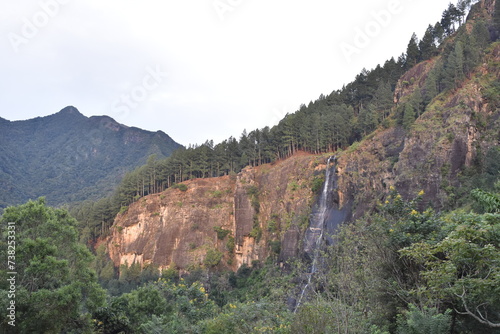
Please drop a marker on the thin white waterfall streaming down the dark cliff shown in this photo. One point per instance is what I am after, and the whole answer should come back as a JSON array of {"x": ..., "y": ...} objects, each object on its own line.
[{"x": 317, "y": 225}]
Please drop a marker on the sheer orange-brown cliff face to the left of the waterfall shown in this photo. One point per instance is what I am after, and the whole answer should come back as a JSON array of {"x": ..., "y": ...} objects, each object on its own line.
[{"x": 263, "y": 210}]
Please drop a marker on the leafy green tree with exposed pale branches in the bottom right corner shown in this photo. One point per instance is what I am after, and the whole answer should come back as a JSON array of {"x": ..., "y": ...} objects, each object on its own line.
[{"x": 464, "y": 266}]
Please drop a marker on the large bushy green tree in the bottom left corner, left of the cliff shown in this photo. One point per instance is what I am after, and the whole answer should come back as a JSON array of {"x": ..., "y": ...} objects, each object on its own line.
[{"x": 55, "y": 288}]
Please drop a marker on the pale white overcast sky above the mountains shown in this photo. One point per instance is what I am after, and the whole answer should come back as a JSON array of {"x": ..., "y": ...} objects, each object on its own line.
[{"x": 198, "y": 69}]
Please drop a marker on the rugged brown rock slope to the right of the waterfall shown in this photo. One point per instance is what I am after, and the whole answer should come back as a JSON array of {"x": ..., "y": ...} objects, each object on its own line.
[{"x": 457, "y": 132}]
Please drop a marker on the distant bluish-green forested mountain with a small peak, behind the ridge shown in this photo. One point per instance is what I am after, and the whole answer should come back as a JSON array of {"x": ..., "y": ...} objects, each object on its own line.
[{"x": 68, "y": 157}]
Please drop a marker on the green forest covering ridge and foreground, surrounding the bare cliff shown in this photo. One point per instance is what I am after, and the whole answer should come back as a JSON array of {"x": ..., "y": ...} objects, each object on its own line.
[{"x": 402, "y": 268}]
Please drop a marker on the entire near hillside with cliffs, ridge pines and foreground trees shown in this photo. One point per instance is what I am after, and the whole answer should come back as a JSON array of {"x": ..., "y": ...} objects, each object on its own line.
[{"x": 417, "y": 161}]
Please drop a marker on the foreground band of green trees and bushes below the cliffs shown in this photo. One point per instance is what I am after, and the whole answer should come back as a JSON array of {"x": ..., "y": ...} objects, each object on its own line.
[{"x": 402, "y": 270}]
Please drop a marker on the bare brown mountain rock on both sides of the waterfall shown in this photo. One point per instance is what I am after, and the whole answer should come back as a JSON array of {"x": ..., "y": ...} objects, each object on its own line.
[{"x": 448, "y": 147}]
